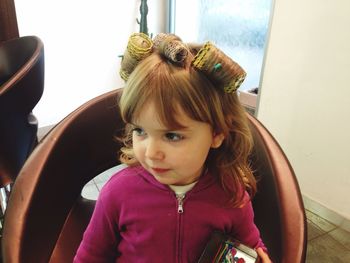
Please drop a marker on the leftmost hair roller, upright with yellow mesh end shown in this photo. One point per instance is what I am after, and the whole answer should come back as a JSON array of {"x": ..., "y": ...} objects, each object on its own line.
[{"x": 139, "y": 47}]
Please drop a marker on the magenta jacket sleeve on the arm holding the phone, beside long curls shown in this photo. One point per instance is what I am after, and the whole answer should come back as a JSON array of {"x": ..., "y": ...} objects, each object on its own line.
[{"x": 246, "y": 231}]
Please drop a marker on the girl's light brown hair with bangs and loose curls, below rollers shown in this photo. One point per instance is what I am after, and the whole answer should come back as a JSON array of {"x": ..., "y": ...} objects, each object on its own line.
[{"x": 169, "y": 85}]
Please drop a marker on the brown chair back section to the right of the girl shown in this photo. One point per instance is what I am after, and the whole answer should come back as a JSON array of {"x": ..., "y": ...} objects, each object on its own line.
[{"x": 278, "y": 206}]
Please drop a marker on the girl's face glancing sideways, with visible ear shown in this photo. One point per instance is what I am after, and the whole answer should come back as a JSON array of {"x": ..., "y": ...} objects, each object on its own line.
[{"x": 172, "y": 157}]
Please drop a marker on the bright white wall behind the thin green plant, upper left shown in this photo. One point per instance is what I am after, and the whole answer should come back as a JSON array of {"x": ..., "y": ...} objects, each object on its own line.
[{"x": 82, "y": 40}]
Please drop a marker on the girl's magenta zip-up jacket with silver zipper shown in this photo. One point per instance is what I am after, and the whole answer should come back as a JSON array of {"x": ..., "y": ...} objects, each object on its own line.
[{"x": 137, "y": 219}]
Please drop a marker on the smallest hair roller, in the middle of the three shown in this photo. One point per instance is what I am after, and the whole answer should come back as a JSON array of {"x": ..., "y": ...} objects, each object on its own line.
[{"x": 171, "y": 47}]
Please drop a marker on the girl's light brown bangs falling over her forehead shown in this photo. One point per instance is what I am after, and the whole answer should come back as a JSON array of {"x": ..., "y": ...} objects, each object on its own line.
[{"x": 169, "y": 87}]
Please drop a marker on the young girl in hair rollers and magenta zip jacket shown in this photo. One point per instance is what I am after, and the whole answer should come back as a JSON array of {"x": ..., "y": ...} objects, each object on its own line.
[{"x": 187, "y": 144}]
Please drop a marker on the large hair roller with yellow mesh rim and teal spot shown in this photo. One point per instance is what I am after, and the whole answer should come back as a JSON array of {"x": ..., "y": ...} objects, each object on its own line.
[{"x": 219, "y": 67}]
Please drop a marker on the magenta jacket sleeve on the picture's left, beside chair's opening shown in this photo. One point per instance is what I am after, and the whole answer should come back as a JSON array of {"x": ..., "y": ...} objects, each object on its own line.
[{"x": 101, "y": 236}]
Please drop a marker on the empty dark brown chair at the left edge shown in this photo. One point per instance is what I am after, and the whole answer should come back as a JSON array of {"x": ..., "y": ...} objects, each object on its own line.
[{"x": 21, "y": 87}]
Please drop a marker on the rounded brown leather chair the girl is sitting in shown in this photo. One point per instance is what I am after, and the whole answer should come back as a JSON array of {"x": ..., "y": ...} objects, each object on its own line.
[{"x": 46, "y": 215}]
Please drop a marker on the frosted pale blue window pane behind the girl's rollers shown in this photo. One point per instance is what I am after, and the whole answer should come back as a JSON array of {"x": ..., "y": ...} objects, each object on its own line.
[{"x": 238, "y": 27}]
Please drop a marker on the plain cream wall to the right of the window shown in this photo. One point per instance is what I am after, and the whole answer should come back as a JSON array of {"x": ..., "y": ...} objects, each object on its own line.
[{"x": 305, "y": 95}]
